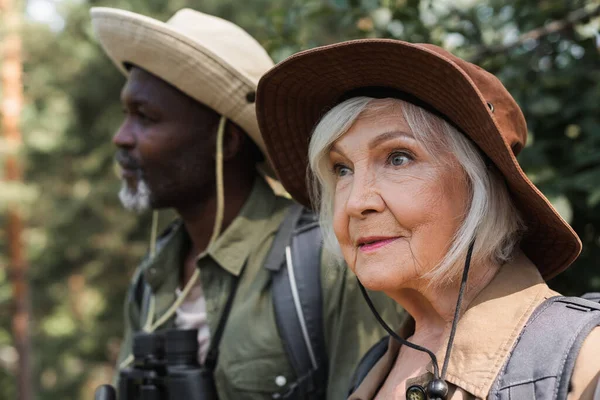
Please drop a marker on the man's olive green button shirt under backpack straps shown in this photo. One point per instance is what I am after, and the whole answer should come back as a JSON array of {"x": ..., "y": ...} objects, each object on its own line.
[{"x": 252, "y": 360}]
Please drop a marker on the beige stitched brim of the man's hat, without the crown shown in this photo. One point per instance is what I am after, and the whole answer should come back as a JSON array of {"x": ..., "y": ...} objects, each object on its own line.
[{"x": 159, "y": 48}]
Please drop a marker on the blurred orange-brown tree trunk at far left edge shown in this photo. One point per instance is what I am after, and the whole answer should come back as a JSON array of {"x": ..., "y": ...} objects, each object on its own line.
[{"x": 10, "y": 109}]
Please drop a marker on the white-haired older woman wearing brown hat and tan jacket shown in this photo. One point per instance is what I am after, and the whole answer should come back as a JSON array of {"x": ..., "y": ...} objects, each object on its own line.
[{"x": 410, "y": 153}]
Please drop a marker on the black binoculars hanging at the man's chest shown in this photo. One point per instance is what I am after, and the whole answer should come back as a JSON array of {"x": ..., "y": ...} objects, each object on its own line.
[{"x": 165, "y": 367}]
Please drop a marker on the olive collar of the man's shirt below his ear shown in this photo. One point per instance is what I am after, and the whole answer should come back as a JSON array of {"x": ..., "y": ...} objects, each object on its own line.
[{"x": 254, "y": 222}]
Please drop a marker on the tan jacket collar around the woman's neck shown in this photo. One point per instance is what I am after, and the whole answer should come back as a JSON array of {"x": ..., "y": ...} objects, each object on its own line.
[{"x": 485, "y": 335}]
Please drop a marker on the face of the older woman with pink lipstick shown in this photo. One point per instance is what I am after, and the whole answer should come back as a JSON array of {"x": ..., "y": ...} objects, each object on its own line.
[{"x": 396, "y": 206}]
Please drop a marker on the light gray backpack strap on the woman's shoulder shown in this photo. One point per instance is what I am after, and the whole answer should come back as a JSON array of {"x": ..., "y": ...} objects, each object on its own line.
[{"x": 541, "y": 363}]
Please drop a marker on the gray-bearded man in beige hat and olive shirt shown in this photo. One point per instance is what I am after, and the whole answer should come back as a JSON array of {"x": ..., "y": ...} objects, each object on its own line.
[{"x": 190, "y": 133}]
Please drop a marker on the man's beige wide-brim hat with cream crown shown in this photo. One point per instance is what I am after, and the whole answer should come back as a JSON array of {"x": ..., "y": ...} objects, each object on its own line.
[{"x": 210, "y": 59}]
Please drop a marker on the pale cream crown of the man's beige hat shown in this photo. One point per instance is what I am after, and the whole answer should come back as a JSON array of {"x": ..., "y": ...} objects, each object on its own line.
[{"x": 226, "y": 40}]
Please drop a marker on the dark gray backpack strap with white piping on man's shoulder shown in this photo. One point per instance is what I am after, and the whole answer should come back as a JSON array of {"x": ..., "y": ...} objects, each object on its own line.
[{"x": 295, "y": 263}]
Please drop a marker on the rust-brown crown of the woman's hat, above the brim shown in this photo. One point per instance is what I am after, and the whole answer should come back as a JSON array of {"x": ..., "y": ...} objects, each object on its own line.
[{"x": 504, "y": 108}]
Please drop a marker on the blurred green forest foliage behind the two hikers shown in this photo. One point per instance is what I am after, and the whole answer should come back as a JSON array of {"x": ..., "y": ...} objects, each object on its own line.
[{"x": 82, "y": 246}]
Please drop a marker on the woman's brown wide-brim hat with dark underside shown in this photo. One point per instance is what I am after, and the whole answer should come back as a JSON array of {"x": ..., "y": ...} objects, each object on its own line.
[{"x": 296, "y": 93}]
